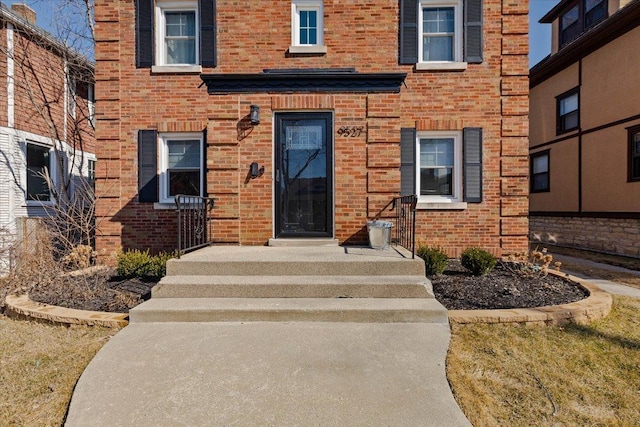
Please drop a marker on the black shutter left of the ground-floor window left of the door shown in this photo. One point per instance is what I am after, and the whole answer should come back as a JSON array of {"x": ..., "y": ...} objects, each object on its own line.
[{"x": 147, "y": 166}]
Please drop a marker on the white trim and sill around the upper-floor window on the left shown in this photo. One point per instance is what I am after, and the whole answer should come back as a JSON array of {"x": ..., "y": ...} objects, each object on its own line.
[{"x": 160, "y": 28}]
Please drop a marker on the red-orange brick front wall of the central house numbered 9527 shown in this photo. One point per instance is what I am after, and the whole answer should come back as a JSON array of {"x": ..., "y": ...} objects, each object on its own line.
[{"x": 253, "y": 36}]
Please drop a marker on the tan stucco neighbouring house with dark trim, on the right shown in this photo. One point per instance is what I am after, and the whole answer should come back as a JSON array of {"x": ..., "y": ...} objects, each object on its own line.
[{"x": 585, "y": 129}]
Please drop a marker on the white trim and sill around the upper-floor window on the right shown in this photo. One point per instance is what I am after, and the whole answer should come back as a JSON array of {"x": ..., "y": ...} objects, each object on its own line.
[{"x": 457, "y": 63}]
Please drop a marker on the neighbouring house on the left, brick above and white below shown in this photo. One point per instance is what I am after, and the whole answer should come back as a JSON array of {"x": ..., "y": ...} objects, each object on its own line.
[{"x": 46, "y": 107}]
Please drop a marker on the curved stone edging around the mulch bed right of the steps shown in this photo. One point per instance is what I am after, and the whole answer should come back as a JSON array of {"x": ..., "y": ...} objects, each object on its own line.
[{"x": 596, "y": 306}]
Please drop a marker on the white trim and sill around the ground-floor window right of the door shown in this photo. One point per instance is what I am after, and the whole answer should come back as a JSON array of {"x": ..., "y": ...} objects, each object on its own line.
[{"x": 442, "y": 202}]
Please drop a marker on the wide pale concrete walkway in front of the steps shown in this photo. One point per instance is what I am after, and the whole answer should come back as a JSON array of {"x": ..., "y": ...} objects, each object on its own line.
[{"x": 269, "y": 374}]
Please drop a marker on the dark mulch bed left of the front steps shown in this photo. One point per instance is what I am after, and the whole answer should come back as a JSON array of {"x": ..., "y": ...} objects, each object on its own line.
[{"x": 97, "y": 289}]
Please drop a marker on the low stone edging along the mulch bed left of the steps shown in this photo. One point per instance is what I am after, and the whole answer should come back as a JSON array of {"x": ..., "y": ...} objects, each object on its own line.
[{"x": 22, "y": 306}]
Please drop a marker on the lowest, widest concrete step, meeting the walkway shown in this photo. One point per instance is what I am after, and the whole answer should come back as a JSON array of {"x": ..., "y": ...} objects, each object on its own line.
[{"x": 357, "y": 310}]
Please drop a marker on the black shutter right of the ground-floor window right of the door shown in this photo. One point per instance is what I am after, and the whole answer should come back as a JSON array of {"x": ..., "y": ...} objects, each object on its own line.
[{"x": 472, "y": 140}]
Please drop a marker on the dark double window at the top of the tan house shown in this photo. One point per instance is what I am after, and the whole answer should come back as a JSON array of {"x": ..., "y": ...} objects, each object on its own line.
[{"x": 580, "y": 16}]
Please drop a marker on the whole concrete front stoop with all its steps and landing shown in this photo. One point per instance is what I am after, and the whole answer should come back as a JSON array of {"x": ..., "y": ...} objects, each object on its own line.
[{"x": 293, "y": 283}]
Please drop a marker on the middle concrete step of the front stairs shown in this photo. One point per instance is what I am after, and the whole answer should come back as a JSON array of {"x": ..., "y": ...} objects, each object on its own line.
[{"x": 293, "y": 287}]
